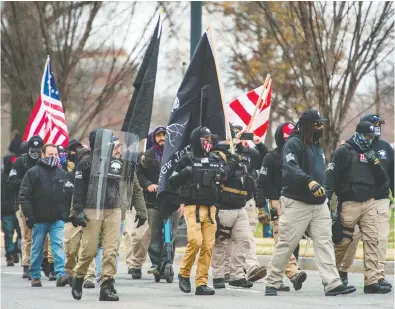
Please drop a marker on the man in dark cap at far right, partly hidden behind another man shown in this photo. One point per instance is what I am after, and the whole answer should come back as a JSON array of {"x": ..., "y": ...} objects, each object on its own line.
[{"x": 381, "y": 196}]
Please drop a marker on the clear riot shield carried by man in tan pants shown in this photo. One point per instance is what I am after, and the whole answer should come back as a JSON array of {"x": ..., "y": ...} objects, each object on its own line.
[{"x": 114, "y": 161}]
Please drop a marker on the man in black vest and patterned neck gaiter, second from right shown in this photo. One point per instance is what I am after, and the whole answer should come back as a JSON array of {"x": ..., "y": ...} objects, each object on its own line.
[{"x": 355, "y": 175}]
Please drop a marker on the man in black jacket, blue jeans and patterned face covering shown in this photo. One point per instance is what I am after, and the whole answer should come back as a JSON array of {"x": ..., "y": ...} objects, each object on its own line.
[{"x": 43, "y": 197}]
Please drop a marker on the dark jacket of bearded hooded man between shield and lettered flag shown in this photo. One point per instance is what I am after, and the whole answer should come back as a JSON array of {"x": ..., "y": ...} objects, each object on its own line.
[{"x": 148, "y": 170}]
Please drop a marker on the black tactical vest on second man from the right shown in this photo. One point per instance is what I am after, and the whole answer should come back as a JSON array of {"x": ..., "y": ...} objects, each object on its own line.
[{"x": 361, "y": 178}]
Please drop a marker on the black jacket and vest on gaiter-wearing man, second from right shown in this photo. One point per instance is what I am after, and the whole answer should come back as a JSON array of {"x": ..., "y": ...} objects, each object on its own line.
[{"x": 341, "y": 172}]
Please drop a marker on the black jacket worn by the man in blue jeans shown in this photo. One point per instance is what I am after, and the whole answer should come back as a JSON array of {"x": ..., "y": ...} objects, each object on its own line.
[{"x": 44, "y": 193}]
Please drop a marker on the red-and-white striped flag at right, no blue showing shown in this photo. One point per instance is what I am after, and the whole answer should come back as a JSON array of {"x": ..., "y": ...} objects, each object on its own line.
[{"x": 241, "y": 110}]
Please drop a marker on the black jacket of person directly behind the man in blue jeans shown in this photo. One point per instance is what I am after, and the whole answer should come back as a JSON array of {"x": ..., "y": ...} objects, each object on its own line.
[{"x": 18, "y": 171}]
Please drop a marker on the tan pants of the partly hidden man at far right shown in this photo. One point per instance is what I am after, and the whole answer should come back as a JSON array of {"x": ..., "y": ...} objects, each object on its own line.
[{"x": 384, "y": 211}]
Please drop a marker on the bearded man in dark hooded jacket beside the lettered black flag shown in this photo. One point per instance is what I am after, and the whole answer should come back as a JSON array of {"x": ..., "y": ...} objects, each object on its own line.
[{"x": 148, "y": 174}]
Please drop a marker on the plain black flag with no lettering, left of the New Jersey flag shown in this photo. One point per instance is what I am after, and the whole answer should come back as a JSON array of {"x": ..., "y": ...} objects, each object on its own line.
[{"x": 138, "y": 116}]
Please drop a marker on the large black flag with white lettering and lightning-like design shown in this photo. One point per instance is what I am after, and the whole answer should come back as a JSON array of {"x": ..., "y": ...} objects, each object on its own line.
[{"x": 185, "y": 116}]
